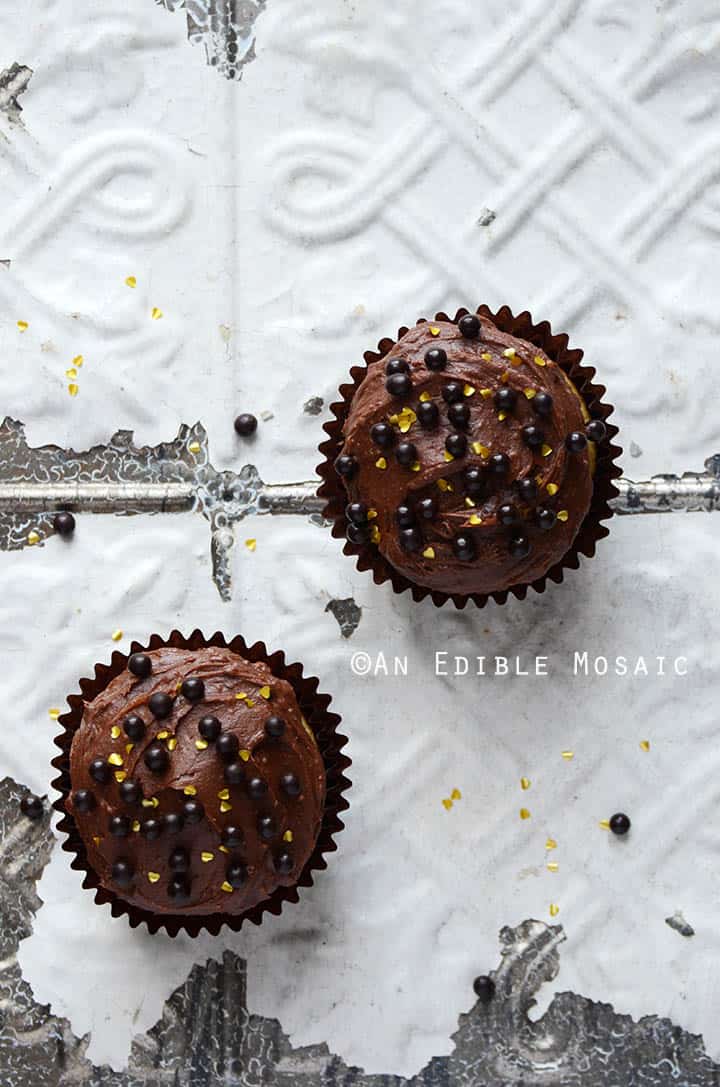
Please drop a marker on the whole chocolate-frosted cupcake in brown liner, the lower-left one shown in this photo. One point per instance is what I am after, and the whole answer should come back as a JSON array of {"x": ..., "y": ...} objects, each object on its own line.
[{"x": 196, "y": 781}]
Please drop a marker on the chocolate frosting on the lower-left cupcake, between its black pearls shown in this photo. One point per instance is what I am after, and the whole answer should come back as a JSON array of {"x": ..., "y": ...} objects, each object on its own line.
[{"x": 198, "y": 776}]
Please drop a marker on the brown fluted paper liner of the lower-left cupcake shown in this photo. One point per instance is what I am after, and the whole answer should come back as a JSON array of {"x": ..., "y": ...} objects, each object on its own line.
[{"x": 325, "y": 726}]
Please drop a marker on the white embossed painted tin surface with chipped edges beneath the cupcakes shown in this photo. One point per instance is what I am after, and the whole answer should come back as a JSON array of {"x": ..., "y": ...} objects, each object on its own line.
[{"x": 283, "y": 224}]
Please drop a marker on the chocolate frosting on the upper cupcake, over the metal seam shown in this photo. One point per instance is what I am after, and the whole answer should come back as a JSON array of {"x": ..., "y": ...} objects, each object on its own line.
[{"x": 495, "y": 360}]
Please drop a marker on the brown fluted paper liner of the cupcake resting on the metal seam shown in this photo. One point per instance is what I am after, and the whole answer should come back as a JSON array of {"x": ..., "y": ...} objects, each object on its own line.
[{"x": 592, "y": 530}]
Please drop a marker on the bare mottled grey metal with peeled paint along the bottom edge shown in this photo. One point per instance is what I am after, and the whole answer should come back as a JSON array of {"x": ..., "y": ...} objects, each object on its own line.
[{"x": 207, "y": 1038}]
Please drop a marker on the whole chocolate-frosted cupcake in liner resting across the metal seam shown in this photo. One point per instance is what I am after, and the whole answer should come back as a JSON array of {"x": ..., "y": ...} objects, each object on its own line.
[{"x": 470, "y": 458}]
